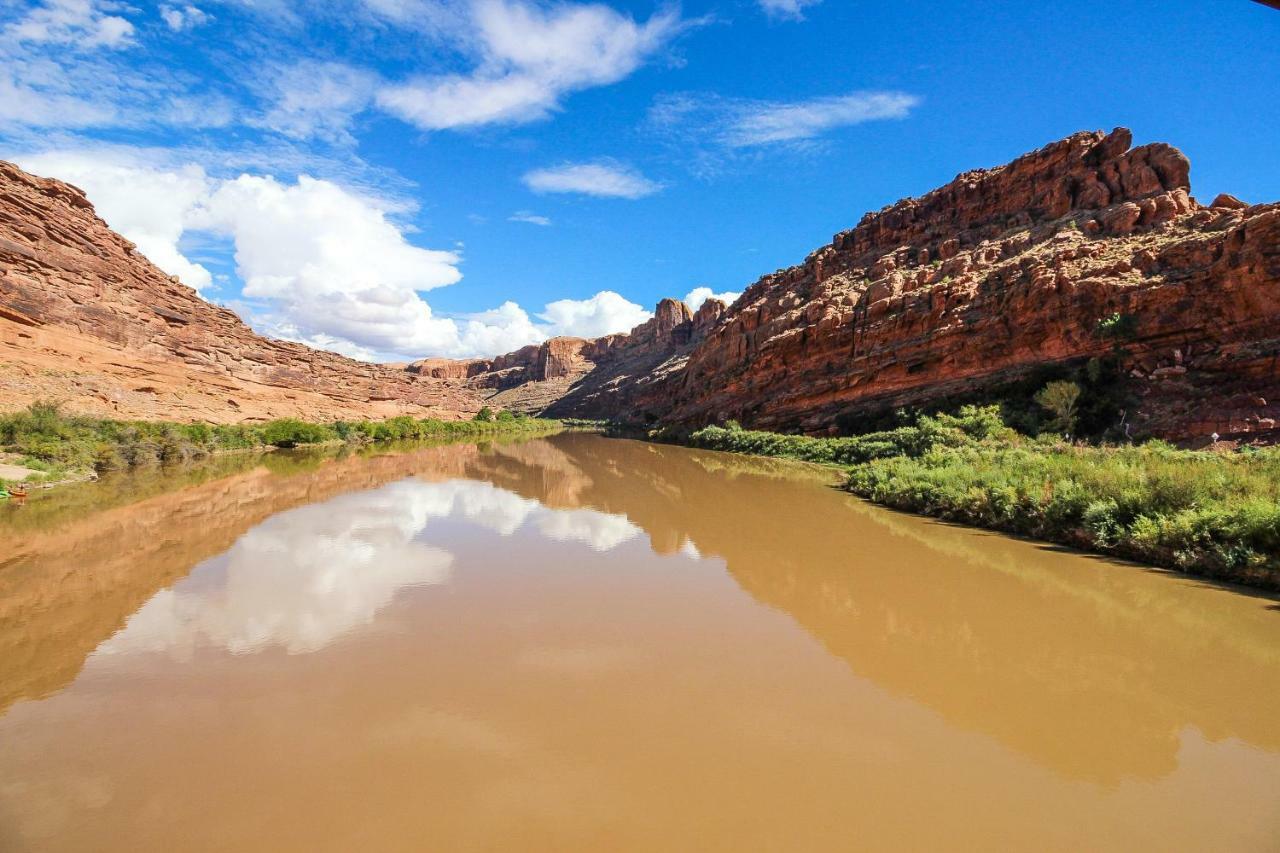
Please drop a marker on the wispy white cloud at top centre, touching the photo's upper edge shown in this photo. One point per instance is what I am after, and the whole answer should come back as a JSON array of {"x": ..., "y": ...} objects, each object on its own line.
[{"x": 529, "y": 58}]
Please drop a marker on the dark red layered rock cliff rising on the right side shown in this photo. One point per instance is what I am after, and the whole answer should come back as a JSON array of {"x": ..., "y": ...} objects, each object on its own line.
[{"x": 991, "y": 279}]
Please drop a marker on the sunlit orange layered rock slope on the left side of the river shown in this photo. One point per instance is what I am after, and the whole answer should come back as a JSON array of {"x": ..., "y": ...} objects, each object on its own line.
[{"x": 88, "y": 321}]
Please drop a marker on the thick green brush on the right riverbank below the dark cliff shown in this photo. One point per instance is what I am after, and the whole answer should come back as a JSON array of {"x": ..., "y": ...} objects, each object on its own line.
[{"x": 1209, "y": 513}]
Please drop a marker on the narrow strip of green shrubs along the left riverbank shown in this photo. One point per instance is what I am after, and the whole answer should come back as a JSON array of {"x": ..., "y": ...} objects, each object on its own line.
[{"x": 45, "y": 439}]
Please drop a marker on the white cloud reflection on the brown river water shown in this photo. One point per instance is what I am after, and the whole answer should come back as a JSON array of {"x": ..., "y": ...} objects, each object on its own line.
[{"x": 304, "y": 578}]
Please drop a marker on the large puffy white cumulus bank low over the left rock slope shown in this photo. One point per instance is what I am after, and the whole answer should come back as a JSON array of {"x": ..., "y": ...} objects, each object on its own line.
[{"x": 321, "y": 263}]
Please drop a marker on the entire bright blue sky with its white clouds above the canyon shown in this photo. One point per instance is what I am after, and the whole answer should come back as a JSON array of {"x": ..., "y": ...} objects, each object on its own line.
[{"x": 401, "y": 179}]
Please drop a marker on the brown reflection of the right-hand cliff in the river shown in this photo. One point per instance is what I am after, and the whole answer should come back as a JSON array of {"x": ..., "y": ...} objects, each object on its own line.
[{"x": 1090, "y": 668}]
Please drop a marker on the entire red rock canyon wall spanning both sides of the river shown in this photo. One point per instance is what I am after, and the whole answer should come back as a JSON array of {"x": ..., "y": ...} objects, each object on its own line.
[{"x": 1087, "y": 249}]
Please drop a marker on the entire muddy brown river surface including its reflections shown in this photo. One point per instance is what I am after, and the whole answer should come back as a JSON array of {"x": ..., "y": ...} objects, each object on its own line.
[{"x": 583, "y": 644}]
